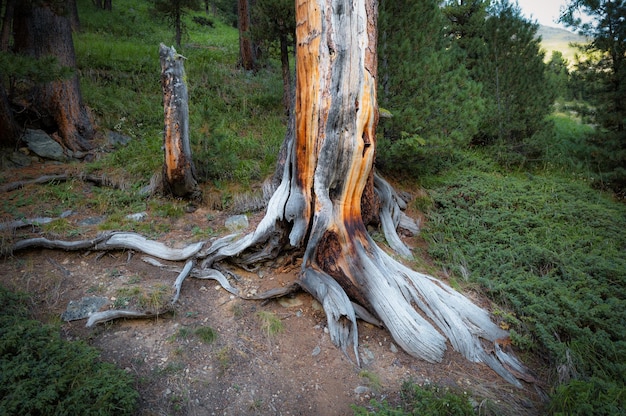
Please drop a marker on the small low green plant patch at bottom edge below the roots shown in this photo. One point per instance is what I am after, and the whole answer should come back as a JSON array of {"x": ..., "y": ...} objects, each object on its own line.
[{"x": 416, "y": 400}]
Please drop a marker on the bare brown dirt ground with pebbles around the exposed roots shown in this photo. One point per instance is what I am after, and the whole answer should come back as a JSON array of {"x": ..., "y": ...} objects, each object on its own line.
[{"x": 246, "y": 370}]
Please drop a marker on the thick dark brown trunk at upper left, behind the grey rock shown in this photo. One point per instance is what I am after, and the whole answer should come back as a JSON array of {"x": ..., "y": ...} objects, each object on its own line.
[{"x": 39, "y": 31}]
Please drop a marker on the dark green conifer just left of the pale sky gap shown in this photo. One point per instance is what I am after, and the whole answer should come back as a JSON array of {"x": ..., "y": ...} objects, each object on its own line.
[{"x": 512, "y": 73}]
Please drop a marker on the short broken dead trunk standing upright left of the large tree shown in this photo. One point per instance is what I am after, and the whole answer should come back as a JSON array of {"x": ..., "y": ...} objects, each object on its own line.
[{"x": 179, "y": 176}]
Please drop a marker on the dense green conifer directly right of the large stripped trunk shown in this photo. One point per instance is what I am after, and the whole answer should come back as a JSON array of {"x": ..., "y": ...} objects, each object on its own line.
[{"x": 434, "y": 104}]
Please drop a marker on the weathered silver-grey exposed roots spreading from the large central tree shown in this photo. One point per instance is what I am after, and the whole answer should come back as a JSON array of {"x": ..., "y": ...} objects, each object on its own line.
[{"x": 410, "y": 305}]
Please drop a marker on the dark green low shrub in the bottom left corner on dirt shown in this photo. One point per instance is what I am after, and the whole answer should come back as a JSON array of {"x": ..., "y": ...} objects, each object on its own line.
[{"x": 42, "y": 374}]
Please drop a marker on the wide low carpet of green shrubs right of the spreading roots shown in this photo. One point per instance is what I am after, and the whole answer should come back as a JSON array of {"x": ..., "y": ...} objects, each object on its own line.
[{"x": 552, "y": 250}]
